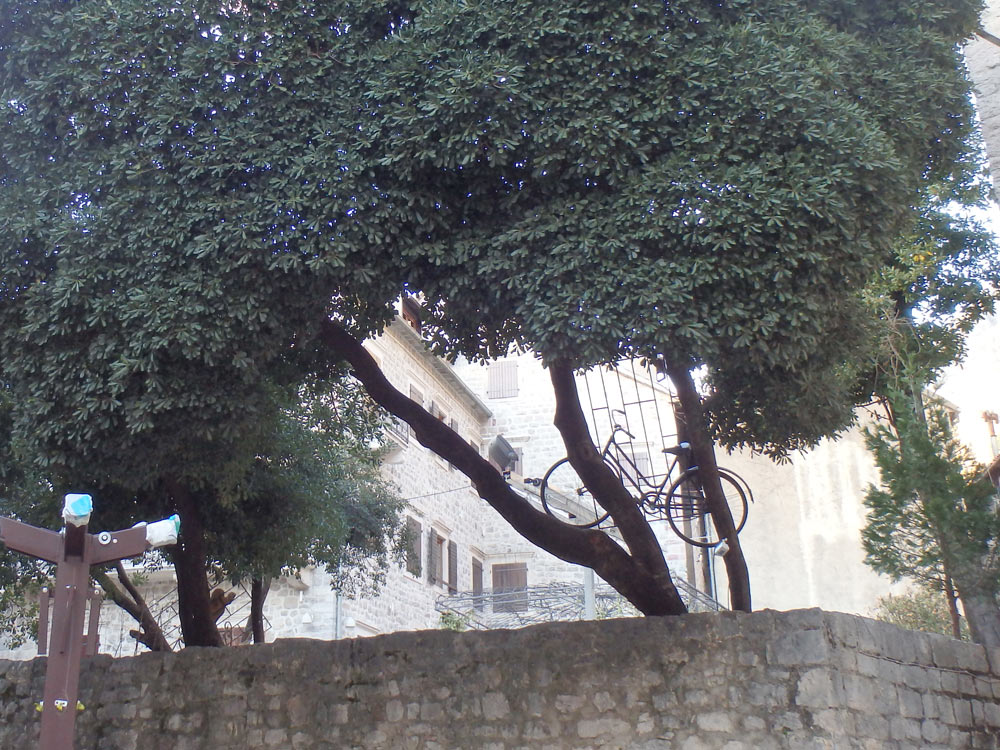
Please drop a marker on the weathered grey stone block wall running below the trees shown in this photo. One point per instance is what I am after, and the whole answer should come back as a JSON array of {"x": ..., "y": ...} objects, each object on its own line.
[{"x": 804, "y": 679}]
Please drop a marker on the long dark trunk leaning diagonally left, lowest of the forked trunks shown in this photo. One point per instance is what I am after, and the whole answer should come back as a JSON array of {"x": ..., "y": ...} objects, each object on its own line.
[{"x": 650, "y": 590}]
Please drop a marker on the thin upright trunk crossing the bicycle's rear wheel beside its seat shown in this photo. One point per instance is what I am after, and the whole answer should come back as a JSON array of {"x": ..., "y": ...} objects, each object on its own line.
[{"x": 703, "y": 452}]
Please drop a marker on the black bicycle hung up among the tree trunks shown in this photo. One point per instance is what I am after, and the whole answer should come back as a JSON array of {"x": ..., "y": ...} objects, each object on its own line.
[{"x": 678, "y": 496}]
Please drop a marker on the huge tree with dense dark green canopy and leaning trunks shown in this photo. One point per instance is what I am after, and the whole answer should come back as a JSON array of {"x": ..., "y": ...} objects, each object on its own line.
[{"x": 200, "y": 197}]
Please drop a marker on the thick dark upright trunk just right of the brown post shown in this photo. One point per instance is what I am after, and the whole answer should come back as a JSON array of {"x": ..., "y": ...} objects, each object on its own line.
[{"x": 193, "y": 595}]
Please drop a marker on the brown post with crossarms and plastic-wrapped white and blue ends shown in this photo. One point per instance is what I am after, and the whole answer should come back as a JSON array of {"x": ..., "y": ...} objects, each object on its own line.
[{"x": 73, "y": 550}]
